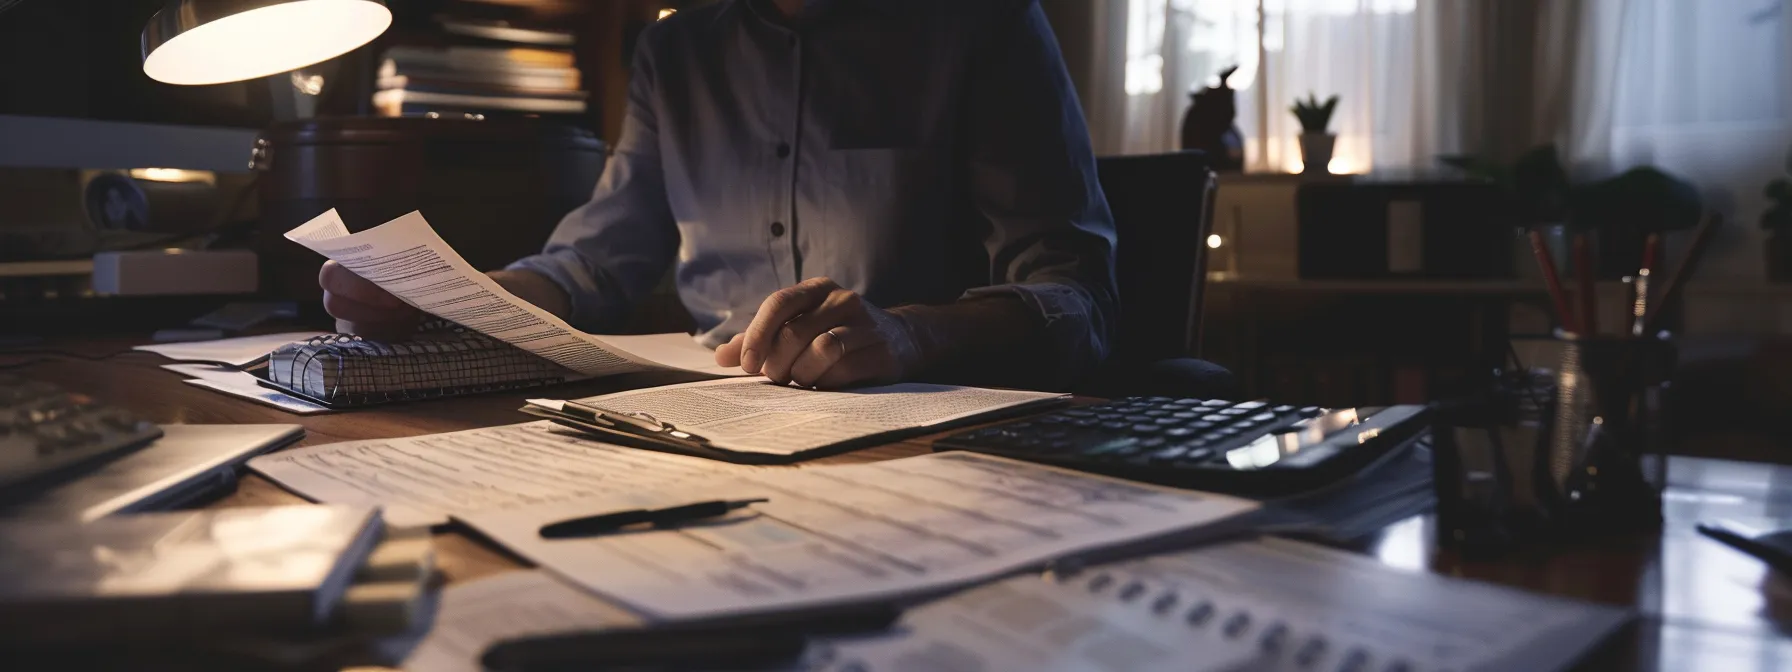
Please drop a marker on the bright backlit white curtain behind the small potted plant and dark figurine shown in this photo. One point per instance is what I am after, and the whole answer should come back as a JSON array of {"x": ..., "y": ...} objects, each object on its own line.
[{"x": 1397, "y": 67}]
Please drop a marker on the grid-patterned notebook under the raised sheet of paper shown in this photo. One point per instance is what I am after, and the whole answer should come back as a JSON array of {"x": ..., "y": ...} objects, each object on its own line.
[{"x": 445, "y": 359}]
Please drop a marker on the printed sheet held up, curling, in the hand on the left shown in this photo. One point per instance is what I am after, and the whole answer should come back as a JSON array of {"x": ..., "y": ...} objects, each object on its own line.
[{"x": 408, "y": 259}]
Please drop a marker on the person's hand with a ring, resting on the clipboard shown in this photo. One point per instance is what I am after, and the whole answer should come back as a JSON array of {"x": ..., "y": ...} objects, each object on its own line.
[{"x": 818, "y": 334}]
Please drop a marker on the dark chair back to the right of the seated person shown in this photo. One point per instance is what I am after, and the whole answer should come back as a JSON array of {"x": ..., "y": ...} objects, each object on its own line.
[{"x": 1164, "y": 212}]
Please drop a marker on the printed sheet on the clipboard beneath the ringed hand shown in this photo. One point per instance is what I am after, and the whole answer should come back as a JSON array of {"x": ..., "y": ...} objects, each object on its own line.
[{"x": 780, "y": 420}]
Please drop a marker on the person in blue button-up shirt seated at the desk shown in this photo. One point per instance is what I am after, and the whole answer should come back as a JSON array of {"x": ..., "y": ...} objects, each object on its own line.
[{"x": 852, "y": 191}]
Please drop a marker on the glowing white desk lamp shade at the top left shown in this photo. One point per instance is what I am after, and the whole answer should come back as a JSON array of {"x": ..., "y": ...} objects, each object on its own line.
[{"x": 214, "y": 42}]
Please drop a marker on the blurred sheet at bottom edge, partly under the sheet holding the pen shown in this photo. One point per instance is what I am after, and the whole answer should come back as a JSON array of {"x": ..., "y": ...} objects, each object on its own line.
[{"x": 476, "y": 616}]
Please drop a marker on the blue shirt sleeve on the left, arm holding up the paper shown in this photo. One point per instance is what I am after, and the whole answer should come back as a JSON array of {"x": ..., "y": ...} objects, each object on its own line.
[{"x": 616, "y": 248}]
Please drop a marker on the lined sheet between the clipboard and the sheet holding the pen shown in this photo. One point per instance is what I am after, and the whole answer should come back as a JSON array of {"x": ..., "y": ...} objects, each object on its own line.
[{"x": 420, "y": 481}]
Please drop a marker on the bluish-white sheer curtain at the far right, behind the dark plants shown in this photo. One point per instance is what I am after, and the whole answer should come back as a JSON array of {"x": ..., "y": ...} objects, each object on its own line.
[{"x": 1700, "y": 89}]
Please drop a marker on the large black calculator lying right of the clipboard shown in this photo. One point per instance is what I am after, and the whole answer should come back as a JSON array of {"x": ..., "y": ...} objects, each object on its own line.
[{"x": 1228, "y": 447}]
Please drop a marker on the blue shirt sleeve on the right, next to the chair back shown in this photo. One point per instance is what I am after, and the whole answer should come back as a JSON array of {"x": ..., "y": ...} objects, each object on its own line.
[{"x": 1033, "y": 178}]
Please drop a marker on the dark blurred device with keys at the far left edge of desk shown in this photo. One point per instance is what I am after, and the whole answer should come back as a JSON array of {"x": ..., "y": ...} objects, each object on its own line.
[{"x": 46, "y": 433}]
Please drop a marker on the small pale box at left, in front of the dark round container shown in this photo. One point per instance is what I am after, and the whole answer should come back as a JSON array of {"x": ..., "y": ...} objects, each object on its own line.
[{"x": 177, "y": 273}]
